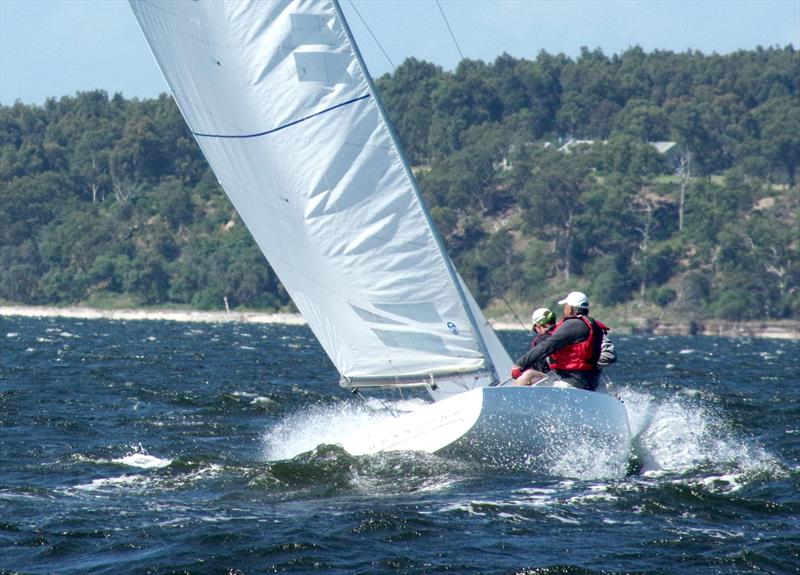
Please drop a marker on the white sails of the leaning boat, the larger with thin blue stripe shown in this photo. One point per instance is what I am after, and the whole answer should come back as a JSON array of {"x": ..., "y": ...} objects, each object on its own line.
[{"x": 276, "y": 95}]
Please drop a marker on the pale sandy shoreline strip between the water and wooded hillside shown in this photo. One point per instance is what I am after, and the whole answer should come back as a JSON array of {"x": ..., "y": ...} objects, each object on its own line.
[{"x": 770, "y": 329}]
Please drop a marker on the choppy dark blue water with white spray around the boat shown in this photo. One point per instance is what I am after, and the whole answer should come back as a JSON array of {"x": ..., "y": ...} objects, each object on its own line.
[{"x": 158, "y": 447}]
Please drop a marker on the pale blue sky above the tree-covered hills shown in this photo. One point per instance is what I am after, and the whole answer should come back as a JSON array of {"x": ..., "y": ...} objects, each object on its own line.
[{"x": 53, "y": 48}]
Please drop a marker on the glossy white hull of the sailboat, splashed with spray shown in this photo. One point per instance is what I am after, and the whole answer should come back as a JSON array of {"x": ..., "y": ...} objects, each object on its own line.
[{"x": 512, "y": 427}]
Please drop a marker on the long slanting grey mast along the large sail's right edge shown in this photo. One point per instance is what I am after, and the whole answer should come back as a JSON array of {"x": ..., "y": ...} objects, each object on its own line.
[{"x": 413, "y": 181}]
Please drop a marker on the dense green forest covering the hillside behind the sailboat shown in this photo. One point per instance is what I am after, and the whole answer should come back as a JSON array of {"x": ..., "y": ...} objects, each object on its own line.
[{"x": 655, "y": 181}]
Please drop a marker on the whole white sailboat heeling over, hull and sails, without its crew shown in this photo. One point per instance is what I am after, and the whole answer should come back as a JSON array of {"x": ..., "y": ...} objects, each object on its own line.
[{"x": 281, "y": 103}]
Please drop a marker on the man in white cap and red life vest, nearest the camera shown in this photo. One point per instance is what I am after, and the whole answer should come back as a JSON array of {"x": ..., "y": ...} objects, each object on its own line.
[{"x": 574, "y": 346}]
